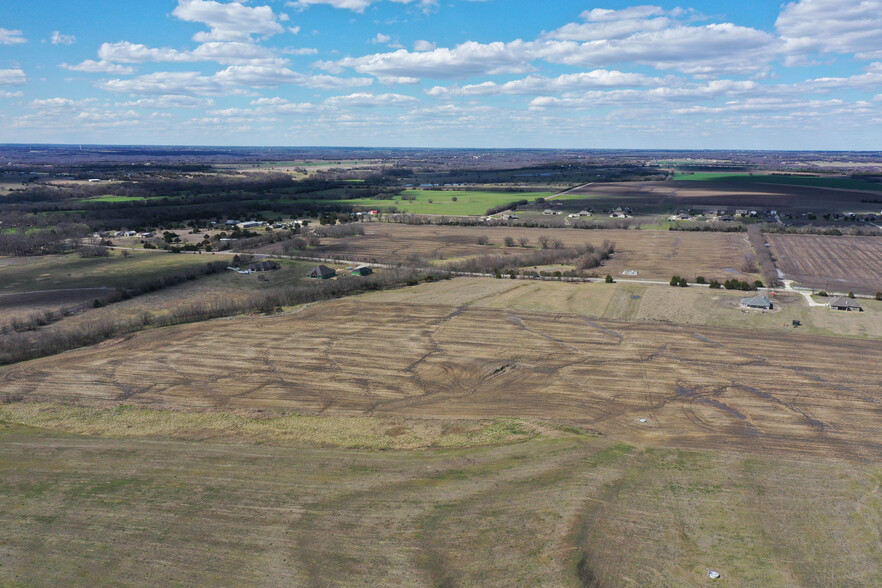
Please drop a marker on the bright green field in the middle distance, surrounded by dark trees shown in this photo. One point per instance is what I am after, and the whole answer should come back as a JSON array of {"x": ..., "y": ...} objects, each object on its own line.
[{"x": 467, "y": 203}]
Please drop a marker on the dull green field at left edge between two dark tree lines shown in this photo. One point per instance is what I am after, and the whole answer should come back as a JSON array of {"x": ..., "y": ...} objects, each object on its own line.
[{"x": 58, "y": 272}]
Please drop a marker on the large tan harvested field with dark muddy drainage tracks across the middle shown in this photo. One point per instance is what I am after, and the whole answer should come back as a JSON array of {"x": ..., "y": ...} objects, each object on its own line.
[{"x": 698, "y": 387}]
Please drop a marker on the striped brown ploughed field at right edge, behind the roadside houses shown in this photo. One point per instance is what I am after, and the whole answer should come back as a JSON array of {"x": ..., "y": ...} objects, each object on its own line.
[{"x": 838, "y": 264}]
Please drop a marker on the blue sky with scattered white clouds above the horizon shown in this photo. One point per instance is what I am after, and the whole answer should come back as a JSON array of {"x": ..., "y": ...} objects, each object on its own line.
[{"x": 753, "y": 74}]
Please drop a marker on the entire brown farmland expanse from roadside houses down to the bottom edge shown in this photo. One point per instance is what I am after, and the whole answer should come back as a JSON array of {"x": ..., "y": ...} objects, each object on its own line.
[{"x": 436, "y": 435}]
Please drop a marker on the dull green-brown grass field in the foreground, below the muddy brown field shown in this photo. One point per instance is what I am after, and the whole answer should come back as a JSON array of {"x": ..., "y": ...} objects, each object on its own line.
[{"x": 561, "y": 512}]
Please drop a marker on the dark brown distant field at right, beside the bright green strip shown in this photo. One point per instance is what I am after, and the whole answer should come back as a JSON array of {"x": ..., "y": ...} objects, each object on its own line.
[{"x": 660, "y": 197}]
